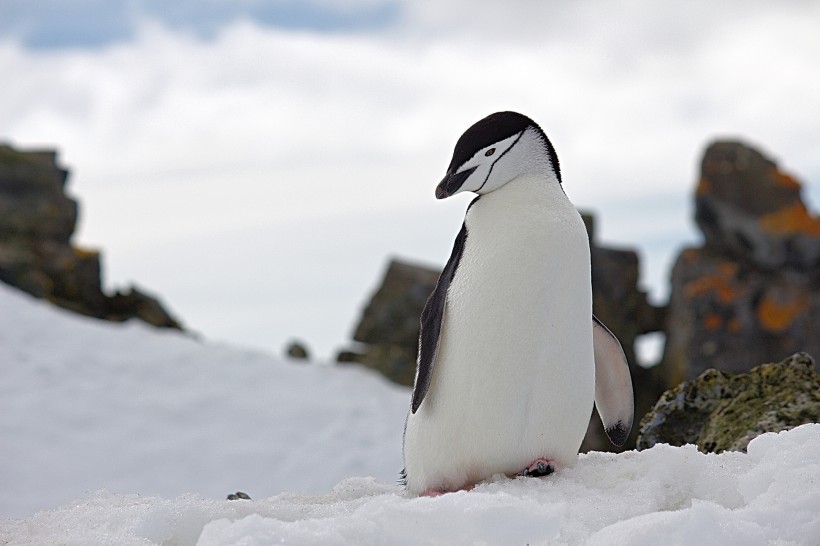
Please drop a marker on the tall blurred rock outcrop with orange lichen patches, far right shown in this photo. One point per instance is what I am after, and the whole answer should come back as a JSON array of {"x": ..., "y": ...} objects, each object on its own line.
[{"x": 752, "y": 292}]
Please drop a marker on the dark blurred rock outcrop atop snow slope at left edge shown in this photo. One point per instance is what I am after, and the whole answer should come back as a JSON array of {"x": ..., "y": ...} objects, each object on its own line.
[{"x": 37, "y": 221}]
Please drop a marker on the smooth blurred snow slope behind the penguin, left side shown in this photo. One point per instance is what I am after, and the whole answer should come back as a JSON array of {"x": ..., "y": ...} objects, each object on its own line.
[{"x": 88, "y": 405}]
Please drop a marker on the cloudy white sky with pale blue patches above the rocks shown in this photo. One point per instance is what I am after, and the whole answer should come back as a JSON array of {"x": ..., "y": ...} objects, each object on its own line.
[{"x": 257, "y": 162}]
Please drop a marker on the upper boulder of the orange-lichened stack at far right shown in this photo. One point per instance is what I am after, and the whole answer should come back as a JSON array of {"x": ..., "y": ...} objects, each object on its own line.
[{"x": 749, "y": 209}]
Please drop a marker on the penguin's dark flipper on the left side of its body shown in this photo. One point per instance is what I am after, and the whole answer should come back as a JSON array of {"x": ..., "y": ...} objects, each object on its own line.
[{"x": 431, "y": 319}]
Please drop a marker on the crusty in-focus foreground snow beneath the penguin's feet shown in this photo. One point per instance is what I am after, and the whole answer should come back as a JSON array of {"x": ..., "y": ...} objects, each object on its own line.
[{"x": 664, "y": 495}]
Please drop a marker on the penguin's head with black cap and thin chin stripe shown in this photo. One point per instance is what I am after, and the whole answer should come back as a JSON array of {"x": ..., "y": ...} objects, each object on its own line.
[{"x": 495, "y": 150}]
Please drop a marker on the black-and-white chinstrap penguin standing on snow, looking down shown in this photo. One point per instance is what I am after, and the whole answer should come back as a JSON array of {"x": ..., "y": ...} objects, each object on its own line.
[{"x": 511, "y": 358}]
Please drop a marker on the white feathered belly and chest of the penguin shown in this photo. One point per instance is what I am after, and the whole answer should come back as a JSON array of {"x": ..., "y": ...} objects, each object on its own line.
[{"x": 514, "y": 374}]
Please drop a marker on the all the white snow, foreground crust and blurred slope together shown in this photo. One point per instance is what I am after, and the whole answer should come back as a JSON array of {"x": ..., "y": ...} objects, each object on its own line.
[{"x": 137, "y": 435}]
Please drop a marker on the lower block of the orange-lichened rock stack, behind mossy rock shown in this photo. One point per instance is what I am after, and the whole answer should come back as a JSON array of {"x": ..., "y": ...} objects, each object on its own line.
[{"x": 723, "y": 315}]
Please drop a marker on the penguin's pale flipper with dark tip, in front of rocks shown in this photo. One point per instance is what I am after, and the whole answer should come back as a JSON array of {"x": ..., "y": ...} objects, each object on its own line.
[{"x": 613, "y": 384}]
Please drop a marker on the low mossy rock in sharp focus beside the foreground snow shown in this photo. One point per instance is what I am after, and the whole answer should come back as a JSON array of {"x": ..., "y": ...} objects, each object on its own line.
[{"x": 720, "y": 411}]
